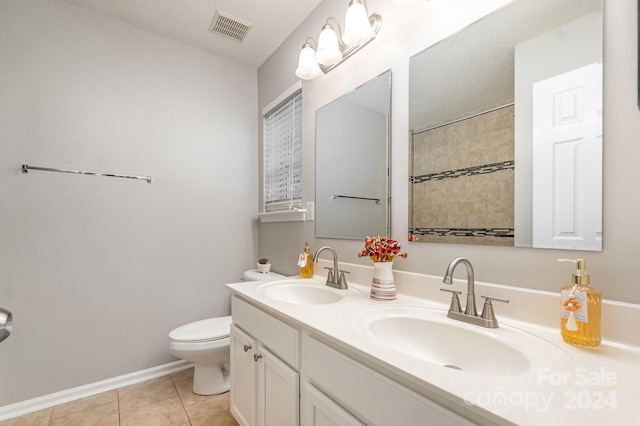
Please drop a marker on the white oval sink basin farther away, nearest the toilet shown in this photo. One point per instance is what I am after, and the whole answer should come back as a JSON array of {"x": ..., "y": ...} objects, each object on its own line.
[{"x": 302, "y": 292}]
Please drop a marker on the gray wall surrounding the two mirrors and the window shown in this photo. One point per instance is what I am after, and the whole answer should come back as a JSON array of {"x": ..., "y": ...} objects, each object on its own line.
[{"x": 405, "y": 32}]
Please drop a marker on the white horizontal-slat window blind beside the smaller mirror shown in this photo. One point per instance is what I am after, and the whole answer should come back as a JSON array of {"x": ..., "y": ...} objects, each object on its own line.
[{"x": 282, "y": 153}]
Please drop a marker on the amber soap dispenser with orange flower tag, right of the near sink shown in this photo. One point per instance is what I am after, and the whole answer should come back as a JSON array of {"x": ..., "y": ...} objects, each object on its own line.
[{"x": 581, "y": 309}]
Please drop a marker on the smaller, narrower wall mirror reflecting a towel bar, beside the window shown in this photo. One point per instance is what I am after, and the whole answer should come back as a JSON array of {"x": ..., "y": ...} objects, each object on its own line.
[{"x": 352, "y": 162}]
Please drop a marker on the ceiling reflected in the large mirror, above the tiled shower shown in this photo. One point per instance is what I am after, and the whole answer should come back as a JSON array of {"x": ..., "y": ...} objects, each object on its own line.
[{"x": 474, "y": 69}]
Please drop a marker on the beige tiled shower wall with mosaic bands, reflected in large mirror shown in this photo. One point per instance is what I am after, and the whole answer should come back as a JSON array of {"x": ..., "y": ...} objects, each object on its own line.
[{"x": 462, "y": 181}]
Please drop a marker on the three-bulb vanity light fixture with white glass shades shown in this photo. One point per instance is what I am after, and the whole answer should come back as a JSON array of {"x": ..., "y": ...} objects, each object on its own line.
[{"x": 333, "y": 47}]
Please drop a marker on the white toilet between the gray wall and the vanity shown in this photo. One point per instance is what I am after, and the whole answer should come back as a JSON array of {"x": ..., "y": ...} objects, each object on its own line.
[{"x": 206, "y": 344}]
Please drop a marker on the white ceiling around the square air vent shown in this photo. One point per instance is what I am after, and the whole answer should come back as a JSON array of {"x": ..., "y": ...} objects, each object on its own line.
[{"x": 188, "y": 21}]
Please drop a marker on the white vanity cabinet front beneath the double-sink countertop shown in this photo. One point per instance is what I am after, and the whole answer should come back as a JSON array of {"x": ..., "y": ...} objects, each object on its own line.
[{"x": 283, "y": 375}]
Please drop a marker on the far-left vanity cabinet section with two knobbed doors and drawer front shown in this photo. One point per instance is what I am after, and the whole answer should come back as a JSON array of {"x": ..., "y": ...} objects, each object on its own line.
[{"x": 264, "y": 362}]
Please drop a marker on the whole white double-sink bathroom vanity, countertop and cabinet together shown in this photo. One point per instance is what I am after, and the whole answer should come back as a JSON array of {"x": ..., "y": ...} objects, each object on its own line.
[{"x": 303, "y": 353}]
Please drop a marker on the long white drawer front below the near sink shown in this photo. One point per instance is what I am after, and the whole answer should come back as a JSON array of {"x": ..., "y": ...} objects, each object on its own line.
[{"x": 370, "y": 396}]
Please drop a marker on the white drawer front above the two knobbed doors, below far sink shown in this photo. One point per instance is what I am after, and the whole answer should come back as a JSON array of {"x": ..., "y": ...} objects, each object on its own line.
[{"x": 280, "y": 338}]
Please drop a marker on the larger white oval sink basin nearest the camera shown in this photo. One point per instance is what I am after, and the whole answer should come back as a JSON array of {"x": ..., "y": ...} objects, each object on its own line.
[{"x": 428, "y": 335}]
